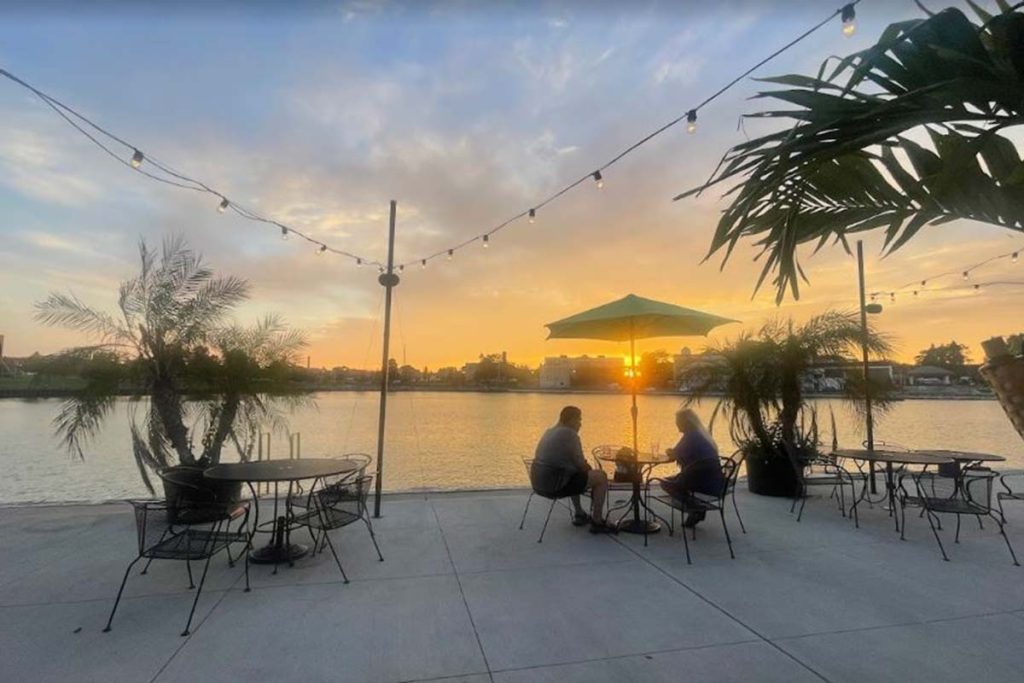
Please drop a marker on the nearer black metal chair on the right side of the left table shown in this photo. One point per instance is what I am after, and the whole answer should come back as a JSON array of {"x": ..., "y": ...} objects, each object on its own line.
[{"x": 336, "y": 505}]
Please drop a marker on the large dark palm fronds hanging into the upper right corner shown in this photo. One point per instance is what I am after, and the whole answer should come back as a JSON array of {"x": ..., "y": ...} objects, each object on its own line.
[{"x": 916, "y": 136}]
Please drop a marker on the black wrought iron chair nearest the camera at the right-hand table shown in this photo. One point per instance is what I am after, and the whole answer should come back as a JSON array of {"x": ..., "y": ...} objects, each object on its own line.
[{"x": 969, "y": 494}]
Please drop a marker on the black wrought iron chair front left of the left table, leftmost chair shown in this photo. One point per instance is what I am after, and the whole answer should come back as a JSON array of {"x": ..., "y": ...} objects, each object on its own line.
[{"x": 168, "y": 532}]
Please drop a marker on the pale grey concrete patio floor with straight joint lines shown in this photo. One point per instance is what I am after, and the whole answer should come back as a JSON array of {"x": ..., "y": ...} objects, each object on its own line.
[{"x": 464, "y": 595}]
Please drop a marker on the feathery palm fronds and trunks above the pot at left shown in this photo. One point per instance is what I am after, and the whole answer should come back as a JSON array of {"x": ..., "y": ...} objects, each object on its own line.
[{"x": 192, "y": 377}]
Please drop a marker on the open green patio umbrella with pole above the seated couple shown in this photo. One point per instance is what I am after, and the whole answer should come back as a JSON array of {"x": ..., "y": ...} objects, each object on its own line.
[{"x": 635, "y": 318}]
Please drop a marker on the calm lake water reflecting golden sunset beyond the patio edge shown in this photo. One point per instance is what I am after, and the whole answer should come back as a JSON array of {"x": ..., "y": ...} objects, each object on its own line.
[{"x": 451, "y": 441}]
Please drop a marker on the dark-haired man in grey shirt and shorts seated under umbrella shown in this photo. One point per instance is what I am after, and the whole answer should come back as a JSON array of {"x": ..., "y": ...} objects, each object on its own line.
[{"x": 561, "y": 469}]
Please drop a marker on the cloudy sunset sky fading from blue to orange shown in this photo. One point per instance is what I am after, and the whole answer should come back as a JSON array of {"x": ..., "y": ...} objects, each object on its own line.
[{"x": 466, "y": 114}]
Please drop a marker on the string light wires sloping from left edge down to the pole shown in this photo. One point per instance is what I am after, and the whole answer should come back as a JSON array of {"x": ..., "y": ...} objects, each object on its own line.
[{"x": 94, "y": 132}]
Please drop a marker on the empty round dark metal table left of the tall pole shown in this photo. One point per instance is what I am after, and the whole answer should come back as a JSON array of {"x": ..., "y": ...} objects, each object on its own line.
[{"x": 277, "y": 472}]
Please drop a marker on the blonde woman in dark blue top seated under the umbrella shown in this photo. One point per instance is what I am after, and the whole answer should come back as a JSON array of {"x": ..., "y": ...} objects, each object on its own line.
[{"x": 701, "y": 472}]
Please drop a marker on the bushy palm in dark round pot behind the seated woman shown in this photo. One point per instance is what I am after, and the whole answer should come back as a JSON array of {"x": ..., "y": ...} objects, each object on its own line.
[{"x": 759, "y": 382}]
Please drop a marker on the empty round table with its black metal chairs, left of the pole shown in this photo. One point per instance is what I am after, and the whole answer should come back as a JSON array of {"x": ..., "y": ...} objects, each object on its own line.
[{"x": 197, "y": 530}]
